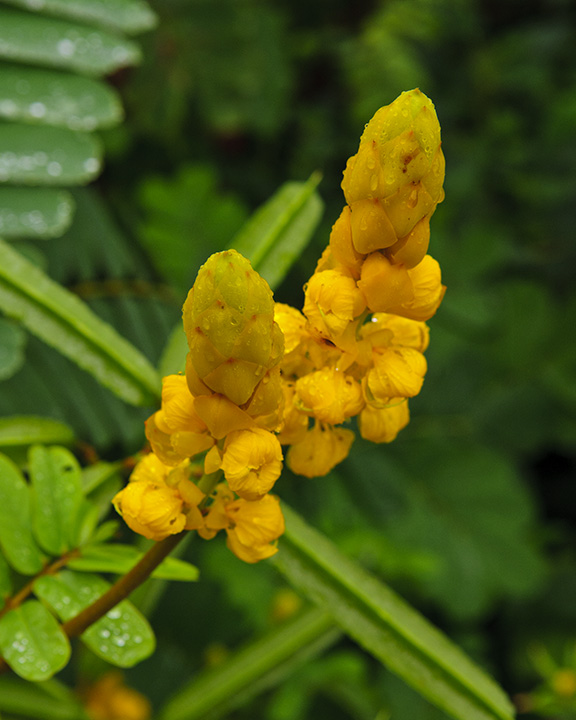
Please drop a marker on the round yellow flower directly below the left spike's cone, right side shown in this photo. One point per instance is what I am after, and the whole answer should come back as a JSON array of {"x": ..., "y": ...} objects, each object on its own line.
[{"x": 252, "y": 462}]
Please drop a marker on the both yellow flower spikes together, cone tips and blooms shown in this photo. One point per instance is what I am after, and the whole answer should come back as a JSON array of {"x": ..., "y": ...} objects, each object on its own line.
[{"x": 260, "y": 375}]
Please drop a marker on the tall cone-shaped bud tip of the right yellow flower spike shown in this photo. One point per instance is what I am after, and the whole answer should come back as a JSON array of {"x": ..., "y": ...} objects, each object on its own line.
[{"x": 400, "y": 163}]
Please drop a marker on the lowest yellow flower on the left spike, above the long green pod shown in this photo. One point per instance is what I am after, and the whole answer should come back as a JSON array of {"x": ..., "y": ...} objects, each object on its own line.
[{"x": 254, "y": 525}]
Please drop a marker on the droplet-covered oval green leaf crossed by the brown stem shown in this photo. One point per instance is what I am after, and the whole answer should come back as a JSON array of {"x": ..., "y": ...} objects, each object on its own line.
[{"x": 122, "y": 637}]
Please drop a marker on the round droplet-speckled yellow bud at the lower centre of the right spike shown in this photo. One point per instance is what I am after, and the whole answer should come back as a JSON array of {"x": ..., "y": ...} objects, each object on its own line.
[{"x": 329, "y": 395}]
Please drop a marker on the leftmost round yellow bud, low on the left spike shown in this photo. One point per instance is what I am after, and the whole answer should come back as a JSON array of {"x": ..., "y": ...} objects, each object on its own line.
[{"x": 151, "y": 509}]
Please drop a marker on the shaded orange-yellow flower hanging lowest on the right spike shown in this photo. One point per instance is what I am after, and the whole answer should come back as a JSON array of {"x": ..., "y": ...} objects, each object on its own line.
[{"x": 321, "y": 449}]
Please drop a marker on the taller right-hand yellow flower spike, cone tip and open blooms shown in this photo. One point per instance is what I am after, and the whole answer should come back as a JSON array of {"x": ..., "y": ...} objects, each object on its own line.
[{"x": 357, "y": 349}]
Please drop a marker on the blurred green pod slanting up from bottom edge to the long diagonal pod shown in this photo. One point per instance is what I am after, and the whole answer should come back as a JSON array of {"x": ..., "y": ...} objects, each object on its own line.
[{"x": 263, "y": 664}]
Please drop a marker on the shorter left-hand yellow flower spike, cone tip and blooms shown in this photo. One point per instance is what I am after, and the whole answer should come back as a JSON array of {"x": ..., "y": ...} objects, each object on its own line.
[{"x": 223, "y": 408}]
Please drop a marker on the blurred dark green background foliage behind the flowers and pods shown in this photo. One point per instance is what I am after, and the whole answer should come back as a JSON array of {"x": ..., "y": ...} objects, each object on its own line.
[{"x": 471, "y": 512}]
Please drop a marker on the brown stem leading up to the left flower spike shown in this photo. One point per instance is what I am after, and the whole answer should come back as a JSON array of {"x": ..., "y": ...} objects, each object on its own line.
[{"x": 123, "y": 587}]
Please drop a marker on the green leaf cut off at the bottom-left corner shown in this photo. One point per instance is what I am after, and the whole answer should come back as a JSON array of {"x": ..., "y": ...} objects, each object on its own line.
[{"x": 48, "y": 700}]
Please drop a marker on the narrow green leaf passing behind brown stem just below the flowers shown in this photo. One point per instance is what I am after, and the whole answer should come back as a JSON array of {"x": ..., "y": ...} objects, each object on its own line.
[{"x": 119, "y": 559}]
